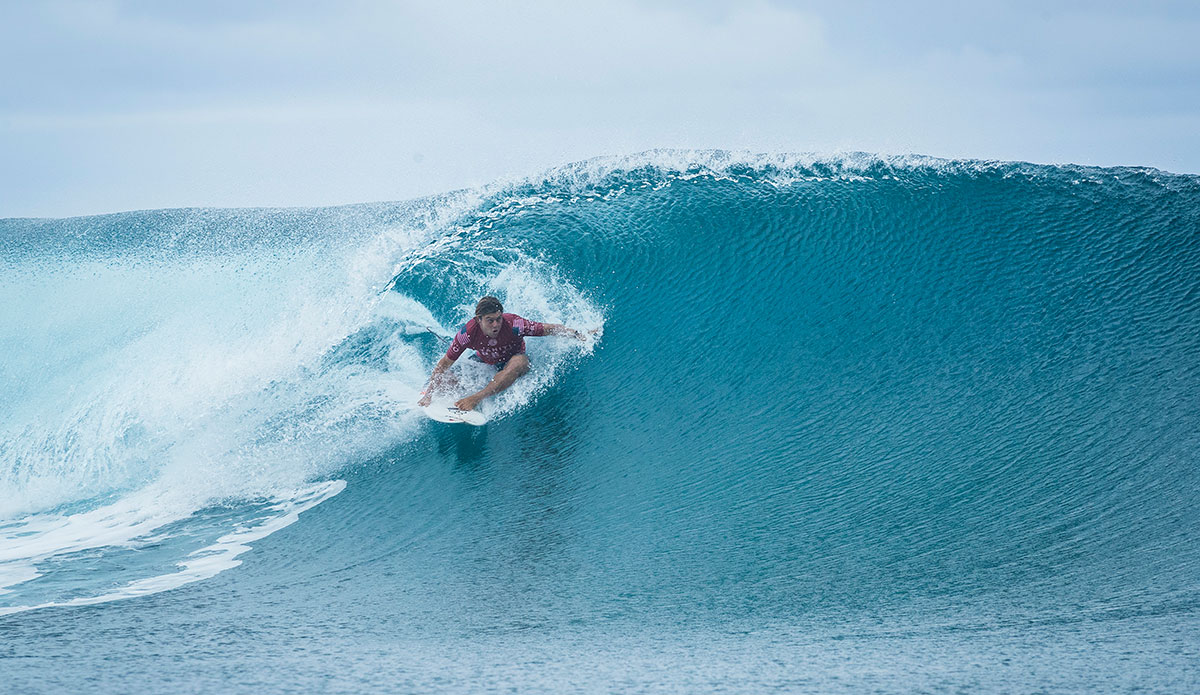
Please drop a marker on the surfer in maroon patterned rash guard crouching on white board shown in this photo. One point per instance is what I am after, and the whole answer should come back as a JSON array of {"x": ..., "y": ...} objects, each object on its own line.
[{"x": 499, "y": 339}]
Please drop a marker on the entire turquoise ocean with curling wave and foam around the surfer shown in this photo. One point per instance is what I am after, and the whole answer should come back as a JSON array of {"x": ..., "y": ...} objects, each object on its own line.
[{"x": 851, "y": 424}]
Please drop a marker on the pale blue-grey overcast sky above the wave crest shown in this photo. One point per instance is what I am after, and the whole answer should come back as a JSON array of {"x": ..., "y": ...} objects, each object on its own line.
[{"x": 131, "y": 105}]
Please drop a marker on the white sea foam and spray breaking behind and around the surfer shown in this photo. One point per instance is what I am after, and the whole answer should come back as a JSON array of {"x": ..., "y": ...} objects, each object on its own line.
[{"x": 148, "y": 387}]
